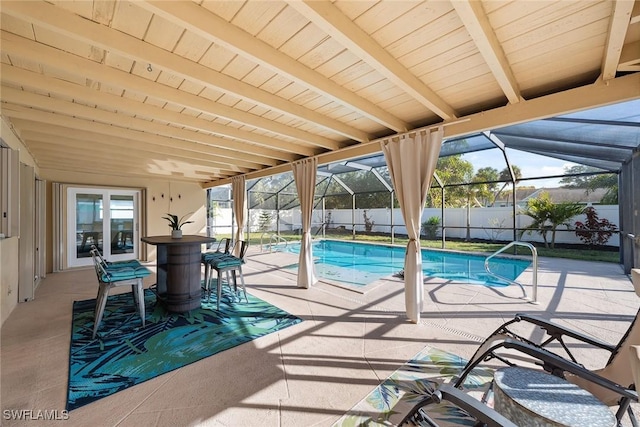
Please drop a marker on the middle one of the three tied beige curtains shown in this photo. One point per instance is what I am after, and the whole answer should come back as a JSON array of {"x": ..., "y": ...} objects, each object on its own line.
[{"x": 304, "y": 173}]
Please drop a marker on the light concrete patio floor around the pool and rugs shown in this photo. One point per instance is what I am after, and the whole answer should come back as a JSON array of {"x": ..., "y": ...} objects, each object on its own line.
[{"x": 309, "y": 374}]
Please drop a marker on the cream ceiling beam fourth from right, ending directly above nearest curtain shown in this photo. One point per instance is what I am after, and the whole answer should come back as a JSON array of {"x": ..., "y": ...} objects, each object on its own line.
[{"x": 211, "y": 27}]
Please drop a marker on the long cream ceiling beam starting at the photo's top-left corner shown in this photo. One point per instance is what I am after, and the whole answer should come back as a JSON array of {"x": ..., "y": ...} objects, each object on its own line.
[{"x": 57, "y": 19}]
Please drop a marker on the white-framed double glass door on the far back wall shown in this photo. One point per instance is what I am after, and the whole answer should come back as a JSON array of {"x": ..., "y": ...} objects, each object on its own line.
[{"x": 105, "y": 218}]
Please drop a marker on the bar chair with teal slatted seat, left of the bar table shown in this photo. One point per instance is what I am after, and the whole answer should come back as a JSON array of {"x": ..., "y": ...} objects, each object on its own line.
[{"x": 109, "y": 278}]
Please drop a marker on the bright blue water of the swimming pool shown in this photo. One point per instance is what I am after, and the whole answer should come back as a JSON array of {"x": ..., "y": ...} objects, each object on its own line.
[{"x": 361, "y": 263}]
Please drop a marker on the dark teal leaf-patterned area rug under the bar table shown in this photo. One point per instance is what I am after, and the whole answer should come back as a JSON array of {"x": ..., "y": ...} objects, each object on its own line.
[{"x": 125, "y": 354}]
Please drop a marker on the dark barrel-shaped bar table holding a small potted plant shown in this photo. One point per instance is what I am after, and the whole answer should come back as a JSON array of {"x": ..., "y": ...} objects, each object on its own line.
[{"x": 178, "y": 277}]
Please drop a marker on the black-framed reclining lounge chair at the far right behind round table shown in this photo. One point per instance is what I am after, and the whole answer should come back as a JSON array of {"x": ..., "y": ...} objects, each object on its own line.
[{"x": 614, "y": 384}]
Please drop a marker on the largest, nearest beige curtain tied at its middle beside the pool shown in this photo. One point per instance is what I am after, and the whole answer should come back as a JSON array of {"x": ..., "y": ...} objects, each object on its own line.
[{"x": 411, "y": 161}]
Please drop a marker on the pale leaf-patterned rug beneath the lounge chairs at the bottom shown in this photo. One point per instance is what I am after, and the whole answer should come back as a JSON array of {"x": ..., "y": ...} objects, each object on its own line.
[{"x": 390, "y": 401}]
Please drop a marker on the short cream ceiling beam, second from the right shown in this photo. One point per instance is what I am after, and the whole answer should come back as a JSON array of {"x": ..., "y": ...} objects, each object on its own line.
[{"x": 475, "y": 20}]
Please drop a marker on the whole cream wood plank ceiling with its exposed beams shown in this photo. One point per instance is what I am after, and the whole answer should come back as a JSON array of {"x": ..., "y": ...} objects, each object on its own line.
[{"x": 205, "y": 90}]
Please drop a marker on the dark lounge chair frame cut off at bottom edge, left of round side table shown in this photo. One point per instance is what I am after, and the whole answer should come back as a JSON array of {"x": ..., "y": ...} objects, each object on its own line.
[{"x": 483, "y": 415}]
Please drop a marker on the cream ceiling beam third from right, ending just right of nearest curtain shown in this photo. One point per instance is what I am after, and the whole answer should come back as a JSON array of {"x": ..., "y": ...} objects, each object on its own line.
[{"x": 340, "y": 28}]
